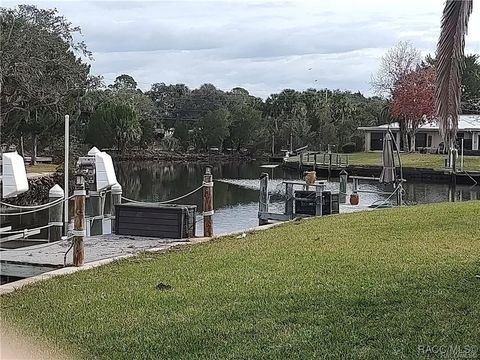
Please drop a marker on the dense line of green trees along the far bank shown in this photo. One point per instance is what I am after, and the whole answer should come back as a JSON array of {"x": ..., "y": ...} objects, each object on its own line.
[{"x": 45, "y": 76}]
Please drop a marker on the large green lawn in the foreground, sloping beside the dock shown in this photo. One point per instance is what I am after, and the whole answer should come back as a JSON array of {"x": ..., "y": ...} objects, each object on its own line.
[{"x": 371, "y": 285}]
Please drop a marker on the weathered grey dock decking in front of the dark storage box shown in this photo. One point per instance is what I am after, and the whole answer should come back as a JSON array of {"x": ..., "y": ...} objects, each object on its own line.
[{"x": 37, "y": 259}]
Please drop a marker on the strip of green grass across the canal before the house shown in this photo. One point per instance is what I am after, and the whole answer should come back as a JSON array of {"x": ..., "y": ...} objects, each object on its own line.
[{"x": 431, "y": 161}]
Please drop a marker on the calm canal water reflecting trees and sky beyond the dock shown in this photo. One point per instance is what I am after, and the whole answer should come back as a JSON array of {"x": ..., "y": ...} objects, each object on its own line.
[{"x": 236, "y": 189}]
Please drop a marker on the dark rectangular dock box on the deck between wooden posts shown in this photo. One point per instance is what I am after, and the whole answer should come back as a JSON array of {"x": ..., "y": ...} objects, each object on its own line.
[{"x": 155, "y": 220}]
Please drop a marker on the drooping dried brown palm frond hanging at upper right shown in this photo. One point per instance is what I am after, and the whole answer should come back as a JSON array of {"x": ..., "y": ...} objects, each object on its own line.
[{"x": 450, "y": 64}]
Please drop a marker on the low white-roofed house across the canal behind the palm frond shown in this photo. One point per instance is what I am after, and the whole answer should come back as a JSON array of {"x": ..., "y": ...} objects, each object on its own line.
[{"x": 428, "y": 136}]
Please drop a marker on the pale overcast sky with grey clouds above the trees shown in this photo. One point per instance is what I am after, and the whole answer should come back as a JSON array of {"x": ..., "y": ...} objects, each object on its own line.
[{"x": 263, "y": 46}]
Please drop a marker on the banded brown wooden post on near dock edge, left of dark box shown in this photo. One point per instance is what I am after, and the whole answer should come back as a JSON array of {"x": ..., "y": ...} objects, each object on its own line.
[{"x": 79, "y": 221}]
